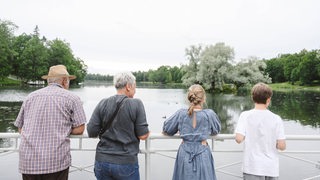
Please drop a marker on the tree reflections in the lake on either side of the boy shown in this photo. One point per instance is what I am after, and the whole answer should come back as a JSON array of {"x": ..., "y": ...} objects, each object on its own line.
[{"x": 302, "y": 107}]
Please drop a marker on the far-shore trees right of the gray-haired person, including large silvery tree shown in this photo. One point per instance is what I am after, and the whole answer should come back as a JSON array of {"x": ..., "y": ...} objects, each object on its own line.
[{"x": 214, "y": 67}]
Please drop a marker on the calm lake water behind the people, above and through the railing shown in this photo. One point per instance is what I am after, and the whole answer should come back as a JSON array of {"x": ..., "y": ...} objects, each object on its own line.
[{"x": 300, "y": 112}]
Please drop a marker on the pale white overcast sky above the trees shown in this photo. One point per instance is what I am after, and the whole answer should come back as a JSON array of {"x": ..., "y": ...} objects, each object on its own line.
[{"x": 120, "y": 35}]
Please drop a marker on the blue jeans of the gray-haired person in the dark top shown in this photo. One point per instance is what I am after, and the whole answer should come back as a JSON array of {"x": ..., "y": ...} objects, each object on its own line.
[{"x": 109, "y": 171}]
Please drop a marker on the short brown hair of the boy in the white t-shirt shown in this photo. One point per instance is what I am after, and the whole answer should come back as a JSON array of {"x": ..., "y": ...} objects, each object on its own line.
[{"x": 260, "y": 93}]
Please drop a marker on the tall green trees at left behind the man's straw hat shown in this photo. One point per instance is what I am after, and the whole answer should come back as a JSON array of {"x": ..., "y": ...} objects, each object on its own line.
[{"x": 28, "y": 56}]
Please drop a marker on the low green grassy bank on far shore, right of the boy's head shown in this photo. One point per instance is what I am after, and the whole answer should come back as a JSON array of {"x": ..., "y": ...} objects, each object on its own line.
[{"x": 289, "y": 87}]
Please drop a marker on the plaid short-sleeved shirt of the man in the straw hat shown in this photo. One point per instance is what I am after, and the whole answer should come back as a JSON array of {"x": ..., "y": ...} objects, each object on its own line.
[{"x": 46, "y": 118}]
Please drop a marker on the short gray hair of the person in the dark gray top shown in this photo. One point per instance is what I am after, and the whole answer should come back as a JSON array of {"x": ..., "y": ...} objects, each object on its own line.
[{"x": 120, "y": 80}]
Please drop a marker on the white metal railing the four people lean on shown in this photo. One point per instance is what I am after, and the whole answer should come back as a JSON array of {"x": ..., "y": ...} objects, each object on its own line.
[{"x": 148, "y": 150}]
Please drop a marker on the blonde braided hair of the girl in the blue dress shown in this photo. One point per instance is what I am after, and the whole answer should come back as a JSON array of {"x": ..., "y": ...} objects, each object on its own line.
[{"x": 196, "y": 96}]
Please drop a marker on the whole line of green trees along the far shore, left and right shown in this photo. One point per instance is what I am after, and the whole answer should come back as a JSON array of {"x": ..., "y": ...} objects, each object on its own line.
[{"x": 28, "y": 56}]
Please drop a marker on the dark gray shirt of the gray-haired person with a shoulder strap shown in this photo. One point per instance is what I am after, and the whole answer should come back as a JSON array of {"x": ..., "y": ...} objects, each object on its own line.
[{"x": 120, "y": 143}]
